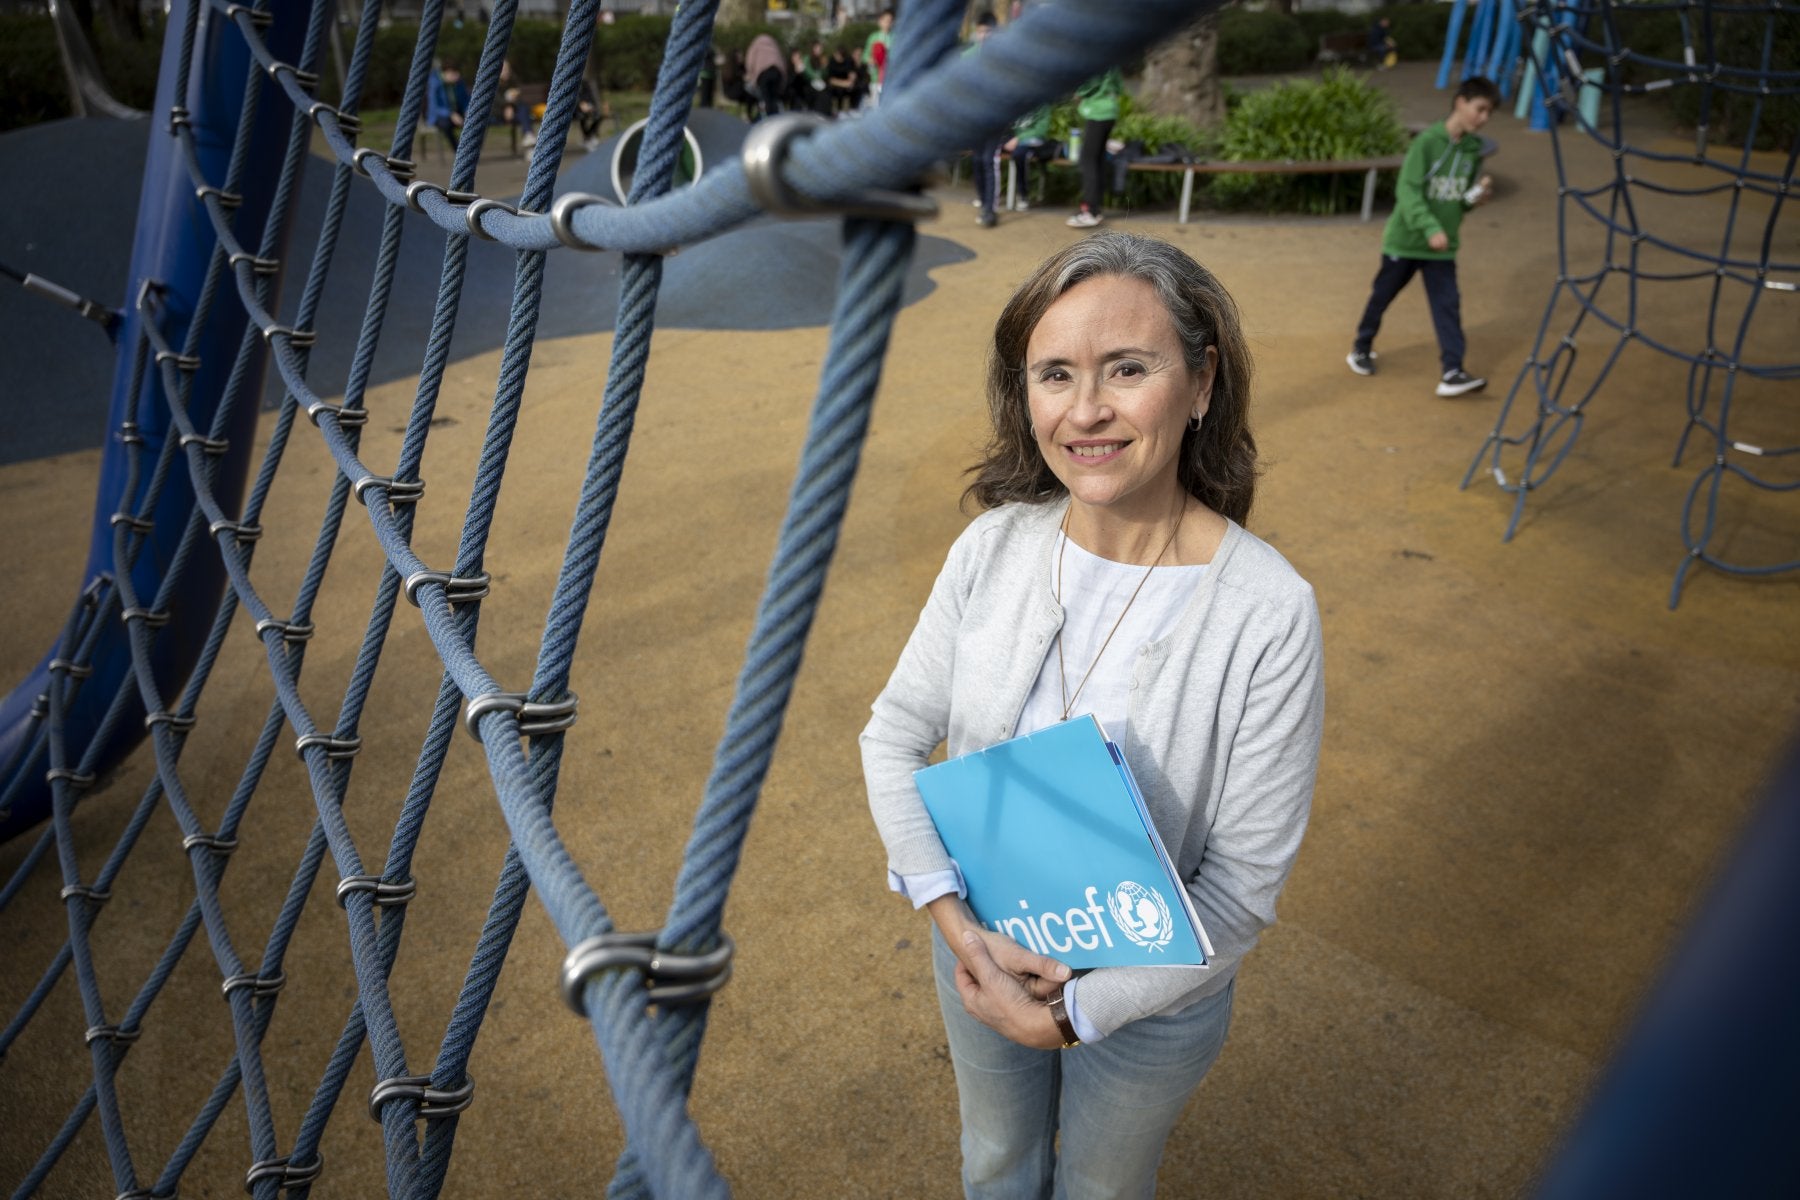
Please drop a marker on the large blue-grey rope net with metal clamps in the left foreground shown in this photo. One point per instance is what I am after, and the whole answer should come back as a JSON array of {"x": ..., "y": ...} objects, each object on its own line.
[{"x": 643, "y": 994}]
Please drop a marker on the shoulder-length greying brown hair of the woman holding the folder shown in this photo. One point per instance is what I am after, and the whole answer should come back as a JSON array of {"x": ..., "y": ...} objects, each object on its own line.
[{"x": 1218, "y": 463}]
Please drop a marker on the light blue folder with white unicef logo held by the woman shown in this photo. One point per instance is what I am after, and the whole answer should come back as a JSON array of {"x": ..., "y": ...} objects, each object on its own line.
[{"x": 1059, "y": 852}]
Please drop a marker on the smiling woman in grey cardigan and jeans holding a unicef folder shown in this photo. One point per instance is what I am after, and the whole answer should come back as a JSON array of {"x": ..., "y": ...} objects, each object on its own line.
[{"x": 1110, "y": 575}]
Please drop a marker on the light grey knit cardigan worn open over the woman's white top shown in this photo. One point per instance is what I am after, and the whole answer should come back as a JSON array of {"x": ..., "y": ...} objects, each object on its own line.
[{"x": 1225, "y": 728}]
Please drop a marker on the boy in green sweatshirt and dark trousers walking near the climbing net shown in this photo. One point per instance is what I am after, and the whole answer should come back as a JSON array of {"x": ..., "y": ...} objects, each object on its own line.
[{"x": 1435, "y": 188}]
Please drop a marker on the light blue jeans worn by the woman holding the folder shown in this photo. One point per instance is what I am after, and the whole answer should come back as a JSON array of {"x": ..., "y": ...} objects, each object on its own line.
[{"x": 1113, "y": 1102}]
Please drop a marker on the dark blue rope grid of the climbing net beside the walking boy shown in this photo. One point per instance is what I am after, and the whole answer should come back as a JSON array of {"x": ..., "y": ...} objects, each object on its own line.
[{"x": 1572, "y": 35}]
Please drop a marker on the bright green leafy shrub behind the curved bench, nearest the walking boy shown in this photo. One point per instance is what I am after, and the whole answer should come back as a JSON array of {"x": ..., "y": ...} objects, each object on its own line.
[{"x": 1309, "y": 121}]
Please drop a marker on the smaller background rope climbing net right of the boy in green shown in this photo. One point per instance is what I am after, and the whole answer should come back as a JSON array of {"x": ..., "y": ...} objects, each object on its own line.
[{"x": 1714, "y": 219}]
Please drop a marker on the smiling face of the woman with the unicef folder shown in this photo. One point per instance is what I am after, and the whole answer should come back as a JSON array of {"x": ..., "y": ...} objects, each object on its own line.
[{"x": 1111, "y": 395}]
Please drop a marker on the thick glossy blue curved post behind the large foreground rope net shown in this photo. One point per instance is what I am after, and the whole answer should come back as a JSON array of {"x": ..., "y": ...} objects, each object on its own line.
[{"x": 174, "y": 249}]
